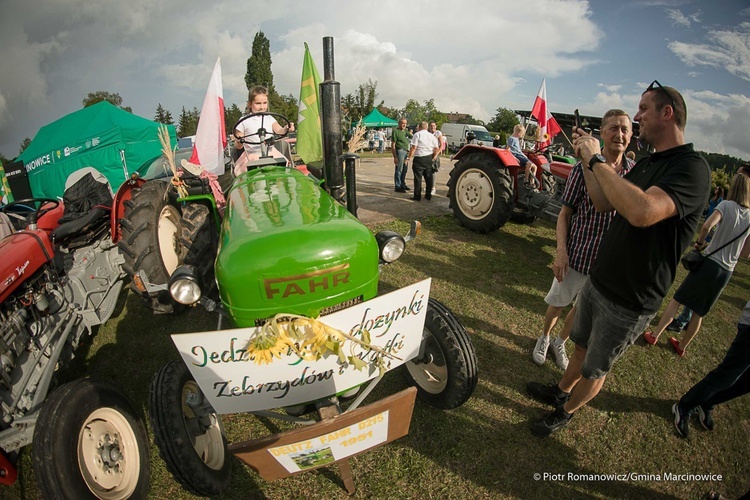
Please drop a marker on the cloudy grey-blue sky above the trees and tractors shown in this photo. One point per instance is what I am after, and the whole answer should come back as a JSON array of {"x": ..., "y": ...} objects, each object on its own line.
[{"x": 470, "y": 57}]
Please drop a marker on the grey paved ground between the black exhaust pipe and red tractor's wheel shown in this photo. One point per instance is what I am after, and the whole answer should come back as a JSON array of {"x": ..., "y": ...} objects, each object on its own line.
[{"x": 378, "y": 202}]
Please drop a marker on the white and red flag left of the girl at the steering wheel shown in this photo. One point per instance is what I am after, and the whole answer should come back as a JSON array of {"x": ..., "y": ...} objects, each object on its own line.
[{"x": 211, "y": 136}]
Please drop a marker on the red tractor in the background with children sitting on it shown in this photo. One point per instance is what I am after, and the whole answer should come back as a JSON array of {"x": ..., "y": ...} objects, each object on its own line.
[{"x": 486, "y": 187}]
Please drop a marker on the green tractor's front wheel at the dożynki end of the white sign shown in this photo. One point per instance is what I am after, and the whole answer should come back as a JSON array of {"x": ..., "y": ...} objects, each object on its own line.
[{"x": 446, "y": 373}]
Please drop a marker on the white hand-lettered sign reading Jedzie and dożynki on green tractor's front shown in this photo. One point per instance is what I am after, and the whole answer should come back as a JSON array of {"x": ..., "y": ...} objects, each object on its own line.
[{"x": 234, "y": 383}]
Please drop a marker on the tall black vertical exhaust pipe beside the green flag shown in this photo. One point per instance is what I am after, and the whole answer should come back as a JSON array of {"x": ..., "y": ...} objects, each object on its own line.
[{"x": 330, "y": 92}]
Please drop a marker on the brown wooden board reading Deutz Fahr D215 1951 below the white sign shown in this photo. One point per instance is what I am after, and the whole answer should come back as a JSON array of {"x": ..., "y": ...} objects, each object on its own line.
[{"x": 331, "y": 440}]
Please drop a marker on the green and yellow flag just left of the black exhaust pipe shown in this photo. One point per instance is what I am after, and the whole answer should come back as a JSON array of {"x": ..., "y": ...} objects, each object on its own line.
[{"x": 309, "y": 137}]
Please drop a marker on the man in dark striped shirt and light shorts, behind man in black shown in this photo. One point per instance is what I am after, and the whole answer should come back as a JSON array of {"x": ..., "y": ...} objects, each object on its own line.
[{"x": 579, "y": 231}]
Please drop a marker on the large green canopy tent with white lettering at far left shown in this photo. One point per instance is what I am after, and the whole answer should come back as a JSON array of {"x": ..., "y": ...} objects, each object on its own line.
[{"x": 113, "y": 141}]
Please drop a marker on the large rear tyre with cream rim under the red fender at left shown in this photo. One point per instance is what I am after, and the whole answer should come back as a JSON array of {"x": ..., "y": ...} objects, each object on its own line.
[{"x": 151, "y": 239}]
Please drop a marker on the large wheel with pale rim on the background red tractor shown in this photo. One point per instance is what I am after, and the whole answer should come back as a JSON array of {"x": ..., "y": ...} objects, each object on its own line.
[{"x": 481, "y": 192}]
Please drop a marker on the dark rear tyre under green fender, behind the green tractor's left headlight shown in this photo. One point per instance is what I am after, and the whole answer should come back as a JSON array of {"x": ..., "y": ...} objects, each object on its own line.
[{"x": 197, "y": 242}]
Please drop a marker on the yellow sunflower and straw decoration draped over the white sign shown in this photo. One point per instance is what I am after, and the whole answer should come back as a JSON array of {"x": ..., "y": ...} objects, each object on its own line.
[{"x": 311, "y": 340}]
